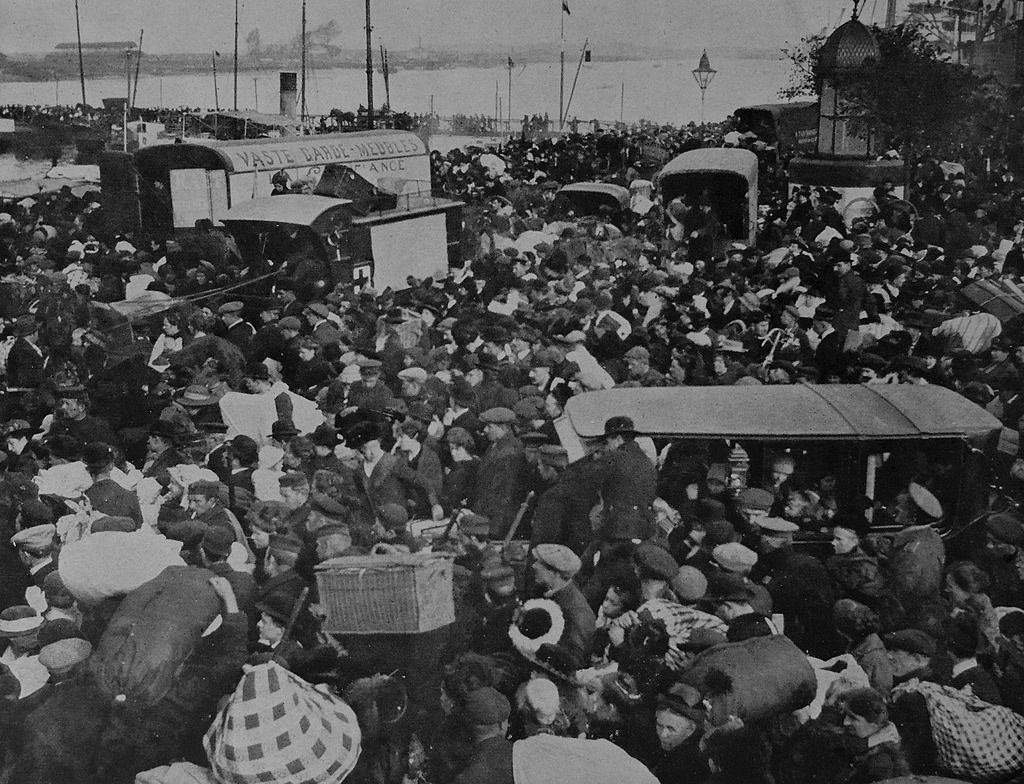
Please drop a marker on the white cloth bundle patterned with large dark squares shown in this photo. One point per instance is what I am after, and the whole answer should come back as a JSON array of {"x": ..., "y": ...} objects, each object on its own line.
[{"x": 279, "y": 728}]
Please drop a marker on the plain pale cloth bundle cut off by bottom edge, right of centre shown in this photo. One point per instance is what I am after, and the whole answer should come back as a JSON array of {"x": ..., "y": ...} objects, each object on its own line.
[{"x": 544, "y": 759}]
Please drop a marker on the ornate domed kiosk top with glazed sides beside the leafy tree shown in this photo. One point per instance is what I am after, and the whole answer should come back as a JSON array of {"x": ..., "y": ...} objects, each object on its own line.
[{"x": 850, "y": 47}]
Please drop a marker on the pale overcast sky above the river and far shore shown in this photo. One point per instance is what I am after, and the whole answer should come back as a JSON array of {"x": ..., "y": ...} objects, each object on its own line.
[{"x": 200, "y": 26}]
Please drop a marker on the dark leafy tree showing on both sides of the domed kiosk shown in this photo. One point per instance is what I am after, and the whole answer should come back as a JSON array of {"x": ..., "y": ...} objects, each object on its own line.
[{"x": 913, "y": 97}]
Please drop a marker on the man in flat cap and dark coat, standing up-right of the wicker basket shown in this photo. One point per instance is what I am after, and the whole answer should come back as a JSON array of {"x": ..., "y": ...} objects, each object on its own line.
[{"x": 503, "y": 475}]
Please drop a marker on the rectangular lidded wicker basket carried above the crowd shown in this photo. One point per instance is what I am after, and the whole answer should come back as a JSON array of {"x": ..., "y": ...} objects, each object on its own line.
[{"x": 397, "y": 594}]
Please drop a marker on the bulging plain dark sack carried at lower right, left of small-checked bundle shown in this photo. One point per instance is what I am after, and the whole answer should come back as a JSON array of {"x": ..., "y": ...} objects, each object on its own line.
[{"x": 771, "y": 676}]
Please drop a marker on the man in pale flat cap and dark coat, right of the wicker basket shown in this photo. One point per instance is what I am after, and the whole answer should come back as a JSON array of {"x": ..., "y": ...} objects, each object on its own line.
[{"x": 554, "y": 568}]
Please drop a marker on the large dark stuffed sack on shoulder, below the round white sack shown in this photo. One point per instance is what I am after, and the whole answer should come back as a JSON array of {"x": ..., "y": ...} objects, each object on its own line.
[{"x": 152, "y": 635}]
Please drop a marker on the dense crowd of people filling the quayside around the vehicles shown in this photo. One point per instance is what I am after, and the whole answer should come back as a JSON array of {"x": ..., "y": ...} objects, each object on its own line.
[{"x": 257, "y": 427}]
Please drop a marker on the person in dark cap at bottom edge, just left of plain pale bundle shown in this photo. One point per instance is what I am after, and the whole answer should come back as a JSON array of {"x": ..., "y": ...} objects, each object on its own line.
[{"x": 487, "y": 712}]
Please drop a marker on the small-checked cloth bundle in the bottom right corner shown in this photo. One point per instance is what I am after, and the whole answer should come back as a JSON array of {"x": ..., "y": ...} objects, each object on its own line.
[{"x": 975, "y": 741}]
